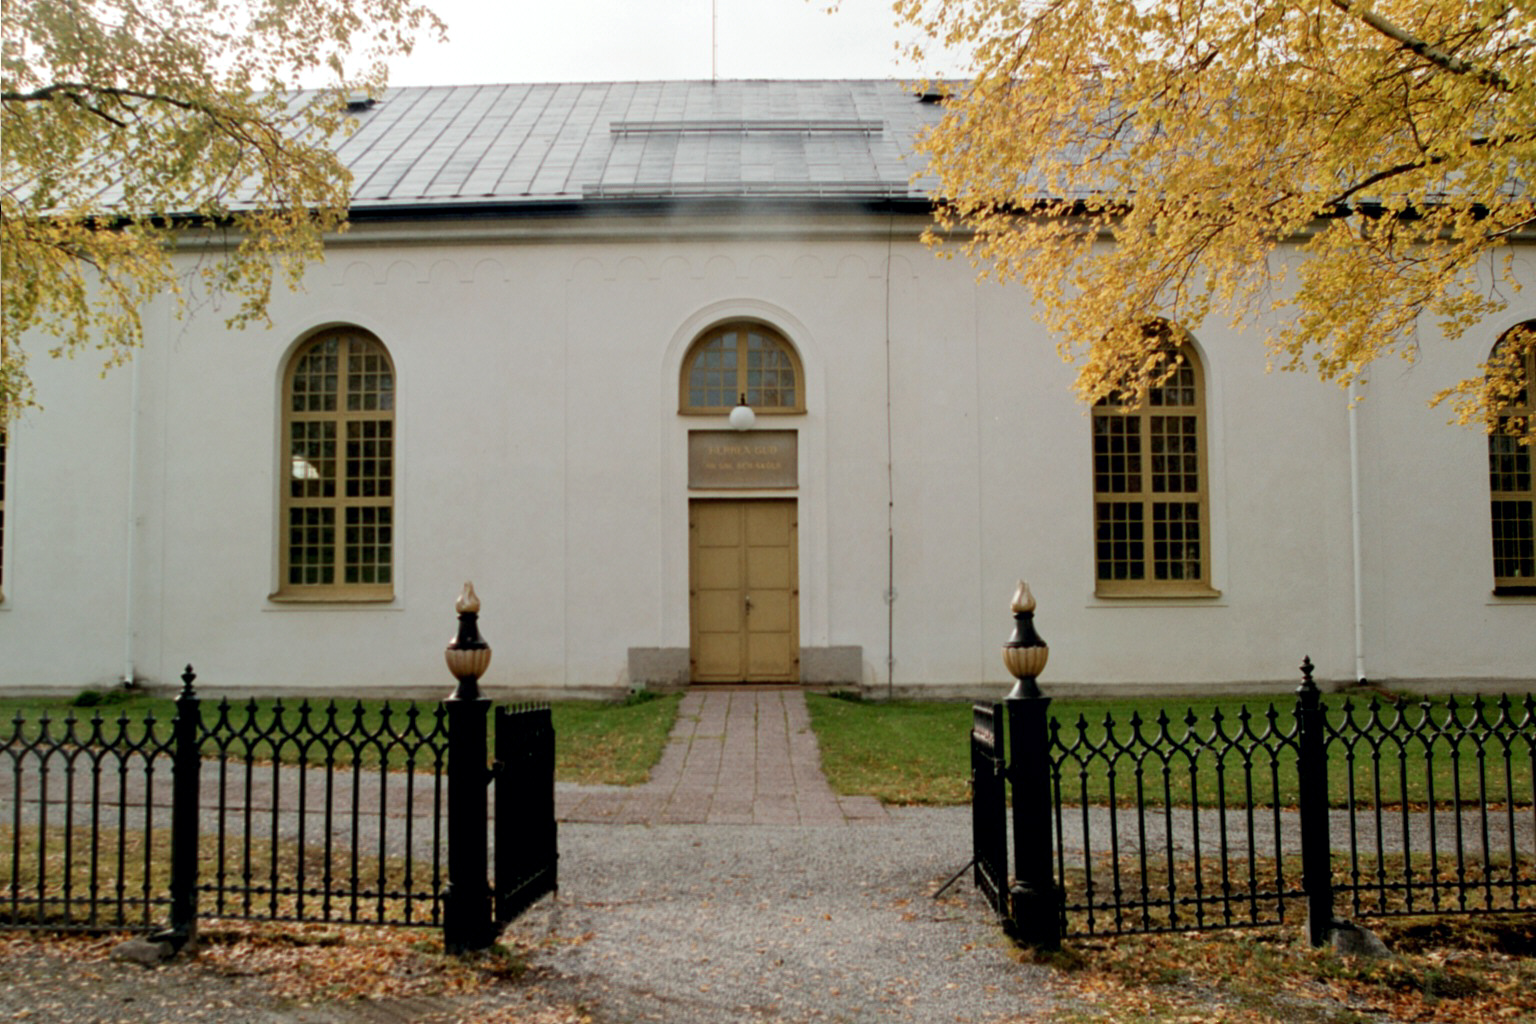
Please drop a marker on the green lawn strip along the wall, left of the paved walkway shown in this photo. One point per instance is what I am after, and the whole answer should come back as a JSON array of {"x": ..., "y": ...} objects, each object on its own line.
[{"x": 597, "y": 742}]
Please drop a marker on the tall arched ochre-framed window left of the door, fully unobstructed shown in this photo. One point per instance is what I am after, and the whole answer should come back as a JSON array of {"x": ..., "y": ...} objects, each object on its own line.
[{"x": 339, "y": 491}]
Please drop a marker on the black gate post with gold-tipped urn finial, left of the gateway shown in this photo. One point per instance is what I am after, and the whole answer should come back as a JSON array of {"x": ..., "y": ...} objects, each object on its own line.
[{"x": 468, "y": 922}]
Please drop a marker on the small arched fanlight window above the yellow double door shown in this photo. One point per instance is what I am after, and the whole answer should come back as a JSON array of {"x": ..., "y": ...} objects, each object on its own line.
[{"x": 741, "y": 362}]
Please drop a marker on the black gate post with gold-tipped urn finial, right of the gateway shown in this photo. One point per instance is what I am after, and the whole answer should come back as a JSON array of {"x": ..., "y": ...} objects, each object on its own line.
[{"x": 1038, "y": 907}]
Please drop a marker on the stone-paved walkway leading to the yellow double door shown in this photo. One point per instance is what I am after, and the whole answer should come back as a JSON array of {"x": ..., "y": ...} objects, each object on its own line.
[{"x": 735, "y": 758}]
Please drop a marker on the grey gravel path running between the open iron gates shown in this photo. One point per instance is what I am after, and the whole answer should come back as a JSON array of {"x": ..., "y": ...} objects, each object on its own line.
[{"x": 698, "y": 925}]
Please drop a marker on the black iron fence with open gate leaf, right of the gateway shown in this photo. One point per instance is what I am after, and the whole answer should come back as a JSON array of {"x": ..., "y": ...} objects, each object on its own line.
[{"x": 1265, "y": 818}]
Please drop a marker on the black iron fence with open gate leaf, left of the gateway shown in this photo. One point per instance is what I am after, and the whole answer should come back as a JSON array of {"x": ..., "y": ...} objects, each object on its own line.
[{"x": 274, "y": 811}]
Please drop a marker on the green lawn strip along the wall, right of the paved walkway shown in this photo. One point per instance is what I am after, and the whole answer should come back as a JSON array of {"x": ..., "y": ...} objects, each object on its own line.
[{"x": 916, "y": 753}]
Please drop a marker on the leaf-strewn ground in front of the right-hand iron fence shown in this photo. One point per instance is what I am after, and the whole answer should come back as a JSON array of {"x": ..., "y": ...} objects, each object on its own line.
[{"x": 1449, "y": 971}]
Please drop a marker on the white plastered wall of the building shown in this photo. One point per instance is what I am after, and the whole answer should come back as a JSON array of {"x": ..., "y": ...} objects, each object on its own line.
[{"x": 541, "y": 455}]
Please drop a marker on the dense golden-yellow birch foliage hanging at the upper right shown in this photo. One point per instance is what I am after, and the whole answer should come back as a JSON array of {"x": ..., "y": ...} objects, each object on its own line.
[{"x": 1389, "y": 142}]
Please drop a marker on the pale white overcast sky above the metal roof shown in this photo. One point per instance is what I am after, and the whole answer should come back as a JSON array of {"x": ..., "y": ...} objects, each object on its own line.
[{"x": 620, "y": 41}]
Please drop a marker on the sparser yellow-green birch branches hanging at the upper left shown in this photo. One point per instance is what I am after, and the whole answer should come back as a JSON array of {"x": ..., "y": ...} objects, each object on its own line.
[{"x": 136, "y": 127}]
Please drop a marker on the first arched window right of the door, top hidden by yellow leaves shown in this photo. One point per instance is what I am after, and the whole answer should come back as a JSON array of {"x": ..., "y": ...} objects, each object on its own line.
[{"x": 1151, "y": 501}]
